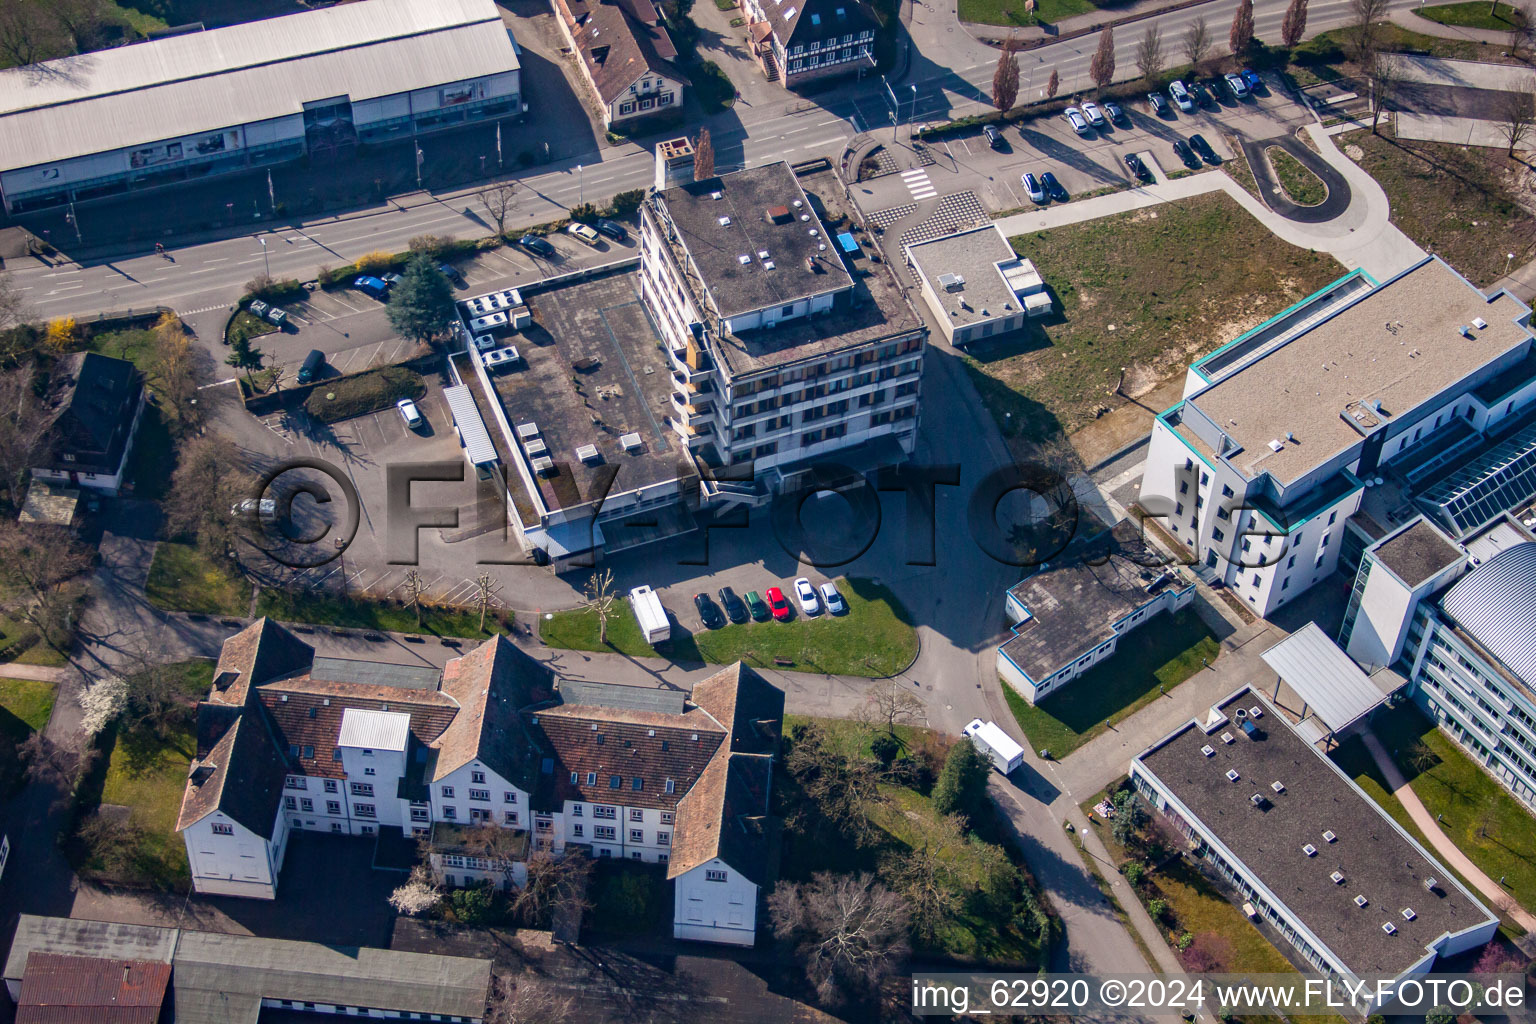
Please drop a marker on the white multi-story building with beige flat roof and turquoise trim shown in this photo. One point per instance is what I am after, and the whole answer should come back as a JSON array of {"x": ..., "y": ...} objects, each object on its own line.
[{"x": 1283, "y": 435}]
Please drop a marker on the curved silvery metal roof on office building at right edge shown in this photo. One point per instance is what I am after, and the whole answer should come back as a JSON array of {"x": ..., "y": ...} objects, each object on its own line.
[{"x": 1497, "y": 604}]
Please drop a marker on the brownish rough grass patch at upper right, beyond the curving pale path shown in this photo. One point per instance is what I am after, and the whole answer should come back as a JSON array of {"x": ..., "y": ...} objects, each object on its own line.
[{"x": 1455, "y": 202}]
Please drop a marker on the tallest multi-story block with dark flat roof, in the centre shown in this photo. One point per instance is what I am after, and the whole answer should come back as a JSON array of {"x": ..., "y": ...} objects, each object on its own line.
[{"x": 790, "y": 340}]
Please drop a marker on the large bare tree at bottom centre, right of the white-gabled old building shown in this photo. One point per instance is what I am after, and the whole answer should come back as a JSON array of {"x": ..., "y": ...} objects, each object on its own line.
[{"x": 850, "y": 931}]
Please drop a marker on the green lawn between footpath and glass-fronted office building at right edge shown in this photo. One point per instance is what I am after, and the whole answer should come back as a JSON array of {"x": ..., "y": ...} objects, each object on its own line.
[{"x": 1489, "y": 825}]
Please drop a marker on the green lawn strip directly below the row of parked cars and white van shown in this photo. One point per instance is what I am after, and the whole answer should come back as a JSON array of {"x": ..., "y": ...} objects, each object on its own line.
[{"x": 875, "y": 639}]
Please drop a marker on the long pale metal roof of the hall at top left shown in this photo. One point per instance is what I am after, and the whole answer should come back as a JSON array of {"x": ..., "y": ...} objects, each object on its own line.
[{"x": 177, "y": 87}]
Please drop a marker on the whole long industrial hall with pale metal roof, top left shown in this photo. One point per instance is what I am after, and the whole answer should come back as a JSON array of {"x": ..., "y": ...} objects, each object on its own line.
[{"x": 263, "y": 93}]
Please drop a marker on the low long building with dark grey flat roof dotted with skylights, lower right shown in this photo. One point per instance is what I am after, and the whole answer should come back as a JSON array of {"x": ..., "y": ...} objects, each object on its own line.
[{"x": 1323, "y": 867}]
